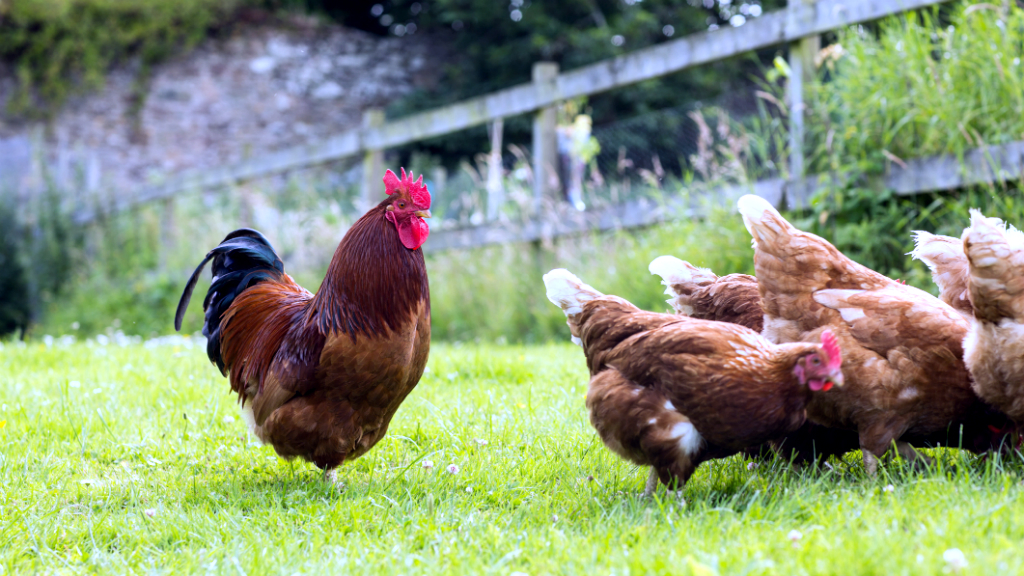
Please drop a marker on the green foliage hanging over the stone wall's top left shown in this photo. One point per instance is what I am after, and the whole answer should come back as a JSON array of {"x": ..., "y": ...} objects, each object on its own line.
[{"x": 59, "y": 47}]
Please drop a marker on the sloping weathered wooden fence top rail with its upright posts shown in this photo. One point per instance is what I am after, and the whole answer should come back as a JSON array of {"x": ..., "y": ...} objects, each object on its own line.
[{"x": 799, "y": 23}]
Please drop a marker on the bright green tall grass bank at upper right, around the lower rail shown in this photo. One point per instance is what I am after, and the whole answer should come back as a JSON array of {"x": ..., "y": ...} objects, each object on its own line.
[{"x": 924, "y": 85}]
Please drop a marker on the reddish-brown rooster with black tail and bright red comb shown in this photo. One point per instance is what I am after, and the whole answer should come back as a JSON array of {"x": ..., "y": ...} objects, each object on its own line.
[{"x": 321, "y": 376}]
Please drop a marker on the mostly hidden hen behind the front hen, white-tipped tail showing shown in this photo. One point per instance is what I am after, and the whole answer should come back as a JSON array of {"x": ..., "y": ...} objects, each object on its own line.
[{"x": 701, "y": 294}]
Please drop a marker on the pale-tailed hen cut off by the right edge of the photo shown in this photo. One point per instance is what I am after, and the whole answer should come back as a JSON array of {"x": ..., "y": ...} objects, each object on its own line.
[{"x": 995, "y": 347}]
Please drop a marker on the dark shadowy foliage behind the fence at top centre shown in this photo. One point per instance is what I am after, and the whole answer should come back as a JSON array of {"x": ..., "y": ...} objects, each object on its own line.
[{"x": 492, "y": 51}]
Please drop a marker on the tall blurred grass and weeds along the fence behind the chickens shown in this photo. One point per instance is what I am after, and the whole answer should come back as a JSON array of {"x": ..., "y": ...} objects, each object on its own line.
[{"x": 918, "y": 86}]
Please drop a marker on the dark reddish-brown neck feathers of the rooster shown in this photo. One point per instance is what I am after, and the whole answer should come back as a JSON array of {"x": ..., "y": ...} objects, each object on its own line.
[{"x": 373, "y": 283}]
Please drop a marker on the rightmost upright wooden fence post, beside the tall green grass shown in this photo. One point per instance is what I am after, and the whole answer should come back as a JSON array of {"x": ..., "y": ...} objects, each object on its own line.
[{"x": 802, "y": 71}]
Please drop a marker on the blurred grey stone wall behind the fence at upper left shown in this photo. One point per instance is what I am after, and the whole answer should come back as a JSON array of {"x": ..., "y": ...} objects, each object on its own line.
[{"x": 262, "y": 89}]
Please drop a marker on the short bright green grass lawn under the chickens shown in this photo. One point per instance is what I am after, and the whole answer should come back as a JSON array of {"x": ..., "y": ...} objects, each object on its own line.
[{"x": 134, "y": 459}]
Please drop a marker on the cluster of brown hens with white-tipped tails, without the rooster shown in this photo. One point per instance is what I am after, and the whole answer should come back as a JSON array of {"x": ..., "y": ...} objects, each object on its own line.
[{"x": 749, "y": 363}]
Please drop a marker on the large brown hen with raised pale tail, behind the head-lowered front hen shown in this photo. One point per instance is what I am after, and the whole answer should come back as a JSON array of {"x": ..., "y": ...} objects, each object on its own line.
[{"x": 902, "y": 347}]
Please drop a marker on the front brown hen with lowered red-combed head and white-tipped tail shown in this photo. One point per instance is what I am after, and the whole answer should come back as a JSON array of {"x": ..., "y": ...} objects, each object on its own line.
[{"x": 672, "y": 392}]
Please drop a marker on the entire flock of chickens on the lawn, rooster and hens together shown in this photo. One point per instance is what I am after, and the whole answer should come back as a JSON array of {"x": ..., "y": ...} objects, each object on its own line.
[{"x": 817, "y": 356}]
